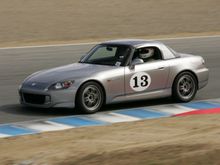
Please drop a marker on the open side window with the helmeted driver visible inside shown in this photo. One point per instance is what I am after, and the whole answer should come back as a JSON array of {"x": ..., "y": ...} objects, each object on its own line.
[{"x": 148, "y": 54}]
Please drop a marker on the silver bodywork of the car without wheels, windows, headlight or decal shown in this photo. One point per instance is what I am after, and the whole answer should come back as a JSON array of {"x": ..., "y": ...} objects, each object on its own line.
[{"x": 115, "y": 80}]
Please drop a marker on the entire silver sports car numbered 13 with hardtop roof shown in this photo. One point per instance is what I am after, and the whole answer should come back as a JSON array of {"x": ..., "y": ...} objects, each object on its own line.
[{"x": 117, "y": 71}]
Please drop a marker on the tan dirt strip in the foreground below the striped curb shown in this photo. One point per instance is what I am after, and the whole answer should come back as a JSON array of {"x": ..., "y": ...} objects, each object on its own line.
[{"x": 178, "y": 140}]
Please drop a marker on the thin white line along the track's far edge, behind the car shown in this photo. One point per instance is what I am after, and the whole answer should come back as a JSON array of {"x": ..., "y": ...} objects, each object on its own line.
[{"x": 92, "y": 43}]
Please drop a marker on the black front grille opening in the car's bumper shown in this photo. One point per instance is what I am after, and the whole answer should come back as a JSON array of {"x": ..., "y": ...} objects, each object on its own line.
[{"x": 34, "y": 98}]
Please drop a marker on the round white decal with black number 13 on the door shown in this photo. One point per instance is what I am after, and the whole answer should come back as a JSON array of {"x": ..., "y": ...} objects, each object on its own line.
[{"x": 140, "y": 81}]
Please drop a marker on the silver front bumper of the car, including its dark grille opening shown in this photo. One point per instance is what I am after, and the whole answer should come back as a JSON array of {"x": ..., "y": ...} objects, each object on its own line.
[{"x": 47, "y": 99}]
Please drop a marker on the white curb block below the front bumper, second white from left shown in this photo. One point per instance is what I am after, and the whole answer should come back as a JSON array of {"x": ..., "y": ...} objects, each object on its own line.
[{"x": 43, "y": 126}]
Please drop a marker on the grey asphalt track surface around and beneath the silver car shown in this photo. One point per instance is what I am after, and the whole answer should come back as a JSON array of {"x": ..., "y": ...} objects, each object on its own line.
[{"x": 18, "y": 63}]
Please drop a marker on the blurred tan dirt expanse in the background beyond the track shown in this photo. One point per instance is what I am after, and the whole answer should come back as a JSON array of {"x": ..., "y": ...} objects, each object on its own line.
[{"x": 25, "y": 22}]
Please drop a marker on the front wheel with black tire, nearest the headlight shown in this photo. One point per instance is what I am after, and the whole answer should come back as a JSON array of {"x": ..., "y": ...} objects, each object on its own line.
[{"x": 90, "y": 98}]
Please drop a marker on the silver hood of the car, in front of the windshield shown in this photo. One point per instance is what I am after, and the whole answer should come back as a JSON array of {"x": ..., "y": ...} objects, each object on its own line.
[{"x": 67, "y": 72}]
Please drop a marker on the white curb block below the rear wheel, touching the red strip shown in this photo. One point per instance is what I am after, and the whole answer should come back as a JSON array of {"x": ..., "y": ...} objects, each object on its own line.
[{"x": 172, "y": 109}]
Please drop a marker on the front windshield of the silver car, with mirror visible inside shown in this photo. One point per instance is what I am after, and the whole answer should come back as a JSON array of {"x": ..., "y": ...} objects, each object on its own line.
[{"x": 114, "y": 55}]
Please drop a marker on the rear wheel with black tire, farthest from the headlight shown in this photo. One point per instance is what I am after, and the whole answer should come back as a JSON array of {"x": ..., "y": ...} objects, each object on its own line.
[{"x": 184, "y": 87}]
